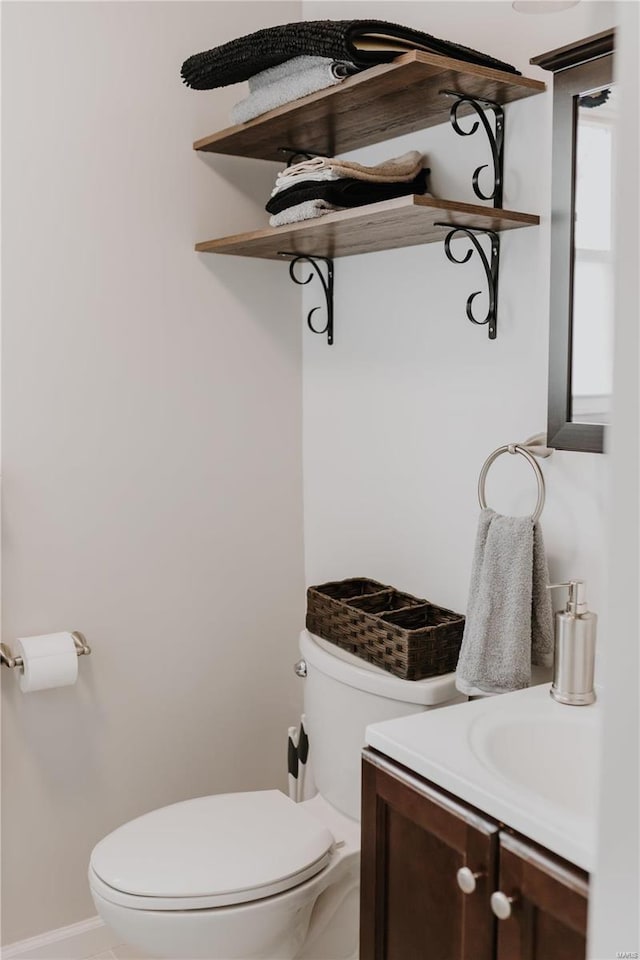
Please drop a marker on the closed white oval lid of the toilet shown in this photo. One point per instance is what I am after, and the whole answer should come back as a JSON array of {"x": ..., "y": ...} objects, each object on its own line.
[{"x": 211, "y": 851}]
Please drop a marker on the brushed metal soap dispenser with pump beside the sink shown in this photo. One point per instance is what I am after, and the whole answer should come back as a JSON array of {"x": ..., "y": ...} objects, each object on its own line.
[{"x": 575, "y": 647}]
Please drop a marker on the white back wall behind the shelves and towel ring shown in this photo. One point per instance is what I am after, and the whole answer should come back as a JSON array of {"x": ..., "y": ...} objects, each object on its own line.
[{"x": 401, "y": 413}]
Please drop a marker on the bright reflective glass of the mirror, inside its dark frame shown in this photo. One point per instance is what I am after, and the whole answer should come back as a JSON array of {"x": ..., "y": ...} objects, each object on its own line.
[{"x": 592, "y": 326}]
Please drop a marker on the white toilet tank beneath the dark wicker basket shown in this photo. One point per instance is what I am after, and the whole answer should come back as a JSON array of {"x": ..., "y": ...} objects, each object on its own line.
[{"x": 342, "y": 696}]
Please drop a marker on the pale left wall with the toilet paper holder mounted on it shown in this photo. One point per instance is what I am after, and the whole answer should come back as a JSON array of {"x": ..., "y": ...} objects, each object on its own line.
[{"x": 152, "y": 440}]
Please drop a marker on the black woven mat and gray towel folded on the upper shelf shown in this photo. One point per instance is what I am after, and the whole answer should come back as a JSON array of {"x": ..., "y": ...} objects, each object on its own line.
[{"x": 290, "y": 61}]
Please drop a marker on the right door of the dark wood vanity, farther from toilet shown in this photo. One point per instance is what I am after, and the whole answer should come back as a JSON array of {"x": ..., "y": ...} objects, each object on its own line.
[{"x": 548, "y": 910}]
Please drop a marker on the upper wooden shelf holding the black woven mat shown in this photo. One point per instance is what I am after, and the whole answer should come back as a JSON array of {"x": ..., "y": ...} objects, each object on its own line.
[{"x": 382, "y": 102}]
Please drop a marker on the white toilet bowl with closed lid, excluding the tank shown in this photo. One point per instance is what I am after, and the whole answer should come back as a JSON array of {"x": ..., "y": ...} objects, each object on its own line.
[{"x": 269, "y": 877}]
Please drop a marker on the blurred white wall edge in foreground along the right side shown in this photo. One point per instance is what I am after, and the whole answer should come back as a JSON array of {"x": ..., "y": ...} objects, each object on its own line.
[{"x": 615, "y": 905}]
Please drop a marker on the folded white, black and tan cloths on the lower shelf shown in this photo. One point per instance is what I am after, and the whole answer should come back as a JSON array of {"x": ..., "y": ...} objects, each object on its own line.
[{"x": 321, "y": 185}]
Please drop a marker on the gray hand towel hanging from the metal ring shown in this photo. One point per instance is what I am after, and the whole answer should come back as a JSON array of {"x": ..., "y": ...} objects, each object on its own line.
[{"x": 509, "y": 622}]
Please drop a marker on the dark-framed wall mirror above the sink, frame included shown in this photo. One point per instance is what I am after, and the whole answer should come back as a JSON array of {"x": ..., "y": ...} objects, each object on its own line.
[{"x": 582, "y": 258}]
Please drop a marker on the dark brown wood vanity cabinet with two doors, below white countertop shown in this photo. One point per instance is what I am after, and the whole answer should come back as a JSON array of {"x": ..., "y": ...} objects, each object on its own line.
[{"x": 415, "y": 840}]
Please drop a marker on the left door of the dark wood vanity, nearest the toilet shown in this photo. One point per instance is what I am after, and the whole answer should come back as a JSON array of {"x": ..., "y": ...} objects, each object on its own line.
[{"x": 414, "y": 841}]
